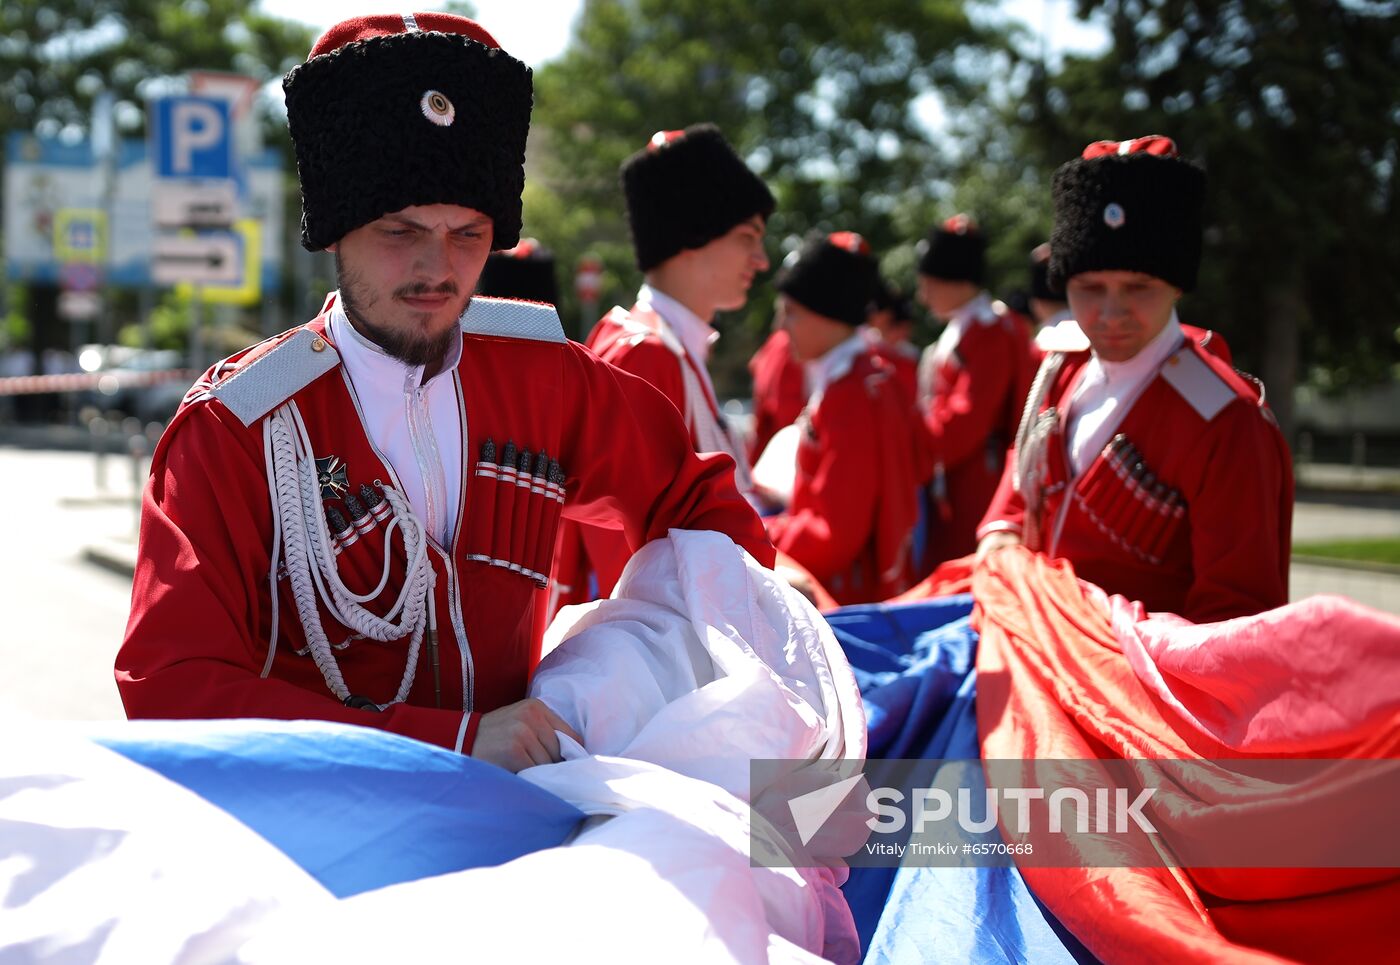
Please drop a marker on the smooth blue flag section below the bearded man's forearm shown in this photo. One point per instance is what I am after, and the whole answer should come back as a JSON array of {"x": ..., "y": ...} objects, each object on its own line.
[{"x": 356, "y": 807}]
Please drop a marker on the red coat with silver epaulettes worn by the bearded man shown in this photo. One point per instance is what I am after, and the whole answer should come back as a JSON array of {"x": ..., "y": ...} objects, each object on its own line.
[{"x": 198, "y": 639}]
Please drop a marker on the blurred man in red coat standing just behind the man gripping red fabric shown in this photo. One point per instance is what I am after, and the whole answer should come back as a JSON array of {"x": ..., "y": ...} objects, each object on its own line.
[{"x": 971, "y": 384}]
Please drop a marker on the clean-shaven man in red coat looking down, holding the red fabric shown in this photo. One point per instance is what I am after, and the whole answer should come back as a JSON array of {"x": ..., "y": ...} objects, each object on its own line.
[{"x": 1144, "y": 459}]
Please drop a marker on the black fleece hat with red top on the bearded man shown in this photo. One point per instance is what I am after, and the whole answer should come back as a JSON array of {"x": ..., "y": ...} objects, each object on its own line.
[{"x": 393, "y": 111}]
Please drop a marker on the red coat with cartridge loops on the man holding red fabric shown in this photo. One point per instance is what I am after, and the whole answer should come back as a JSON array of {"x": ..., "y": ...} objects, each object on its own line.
[{"x": 1189, "y": 508}]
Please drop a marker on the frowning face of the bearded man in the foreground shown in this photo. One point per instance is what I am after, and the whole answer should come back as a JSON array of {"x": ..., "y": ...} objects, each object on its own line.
[{"x": 407, "y": 278}]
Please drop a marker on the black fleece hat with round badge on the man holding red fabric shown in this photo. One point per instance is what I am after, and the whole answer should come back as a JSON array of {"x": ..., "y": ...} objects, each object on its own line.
[{"x": 1129, "y": 207}]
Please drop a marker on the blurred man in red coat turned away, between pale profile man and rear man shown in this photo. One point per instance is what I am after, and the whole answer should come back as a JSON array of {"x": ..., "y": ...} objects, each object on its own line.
[{"x": 853, "y": 511}]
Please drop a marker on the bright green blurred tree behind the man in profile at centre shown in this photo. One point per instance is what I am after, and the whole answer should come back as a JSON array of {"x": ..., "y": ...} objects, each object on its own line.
[{"x": 821, "y": 99}]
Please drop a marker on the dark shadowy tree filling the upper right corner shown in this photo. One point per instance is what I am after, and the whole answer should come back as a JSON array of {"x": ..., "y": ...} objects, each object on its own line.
[{"x": 1294, "y": 110}]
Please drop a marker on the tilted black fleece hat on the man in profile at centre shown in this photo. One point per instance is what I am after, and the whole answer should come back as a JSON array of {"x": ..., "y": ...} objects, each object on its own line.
[{"x": 685, "y": 190}]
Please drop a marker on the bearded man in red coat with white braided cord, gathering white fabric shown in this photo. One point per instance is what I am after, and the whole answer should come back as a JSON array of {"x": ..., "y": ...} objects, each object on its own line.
[{"x": 353, "y": 520}]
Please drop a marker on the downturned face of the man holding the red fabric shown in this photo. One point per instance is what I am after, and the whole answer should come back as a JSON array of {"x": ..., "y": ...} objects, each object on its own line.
[{"x": 1121, "y": 312}]
